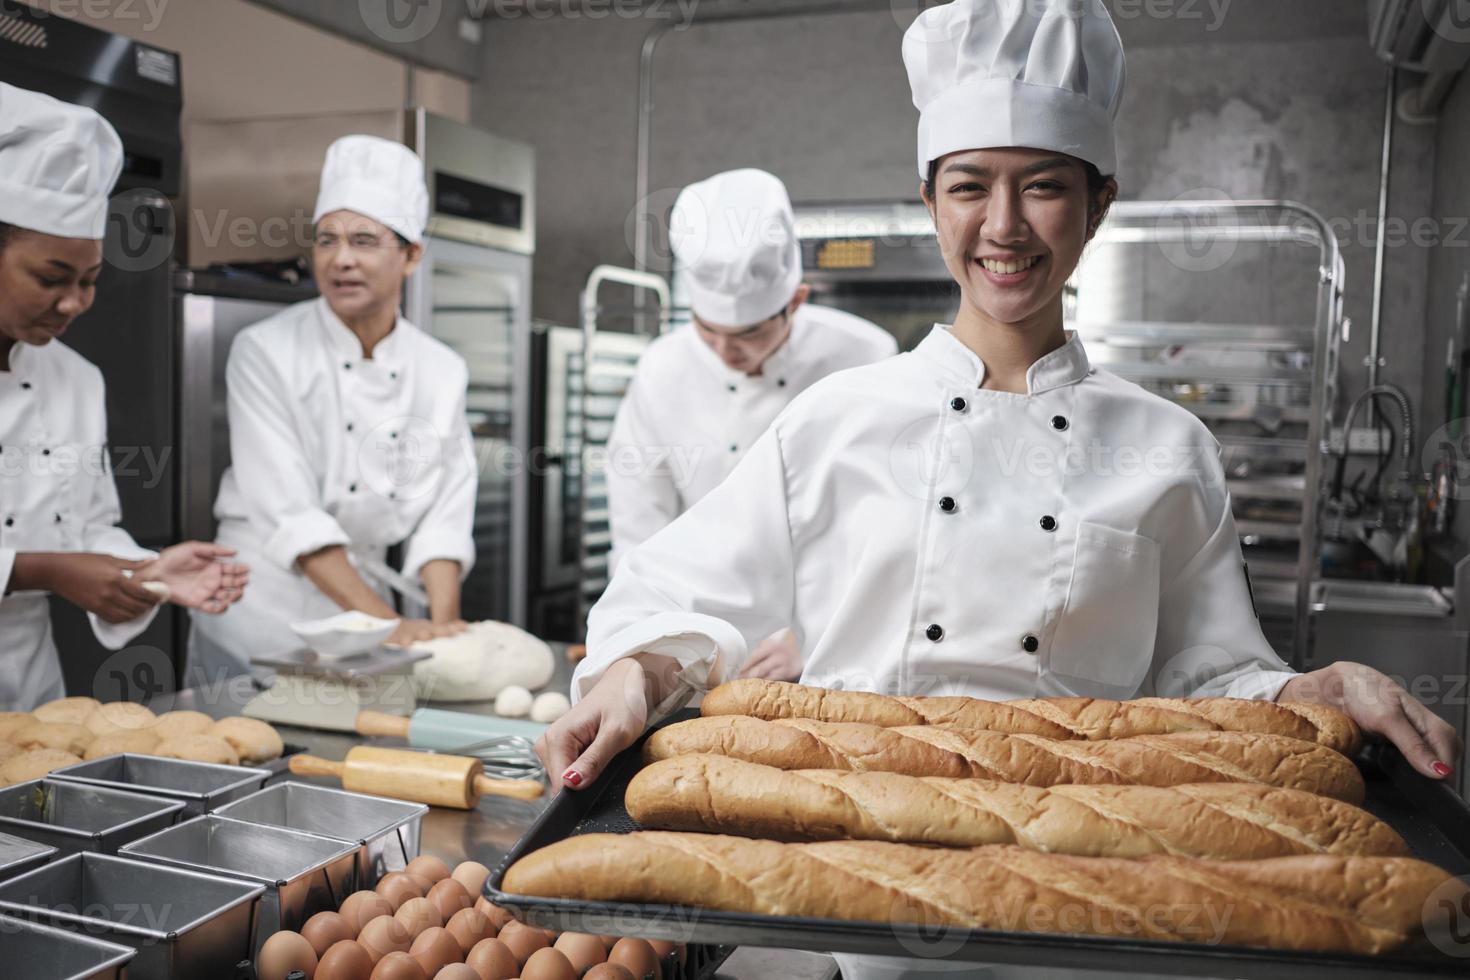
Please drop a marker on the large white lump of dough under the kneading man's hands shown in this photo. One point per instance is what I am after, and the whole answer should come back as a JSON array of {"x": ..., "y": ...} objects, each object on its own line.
[{"x": 483, "y": 662}]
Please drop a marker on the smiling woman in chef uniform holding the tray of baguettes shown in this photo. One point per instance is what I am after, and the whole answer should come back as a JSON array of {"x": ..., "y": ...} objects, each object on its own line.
[{"x": 989, "y": 515}]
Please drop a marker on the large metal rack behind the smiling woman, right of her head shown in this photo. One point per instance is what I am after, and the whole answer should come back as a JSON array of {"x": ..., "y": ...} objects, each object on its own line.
[{"x": 1183, "y": 298}]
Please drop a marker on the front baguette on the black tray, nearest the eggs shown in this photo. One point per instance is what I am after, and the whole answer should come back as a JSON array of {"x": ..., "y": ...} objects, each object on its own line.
[{"x": 1319, "y": 903}]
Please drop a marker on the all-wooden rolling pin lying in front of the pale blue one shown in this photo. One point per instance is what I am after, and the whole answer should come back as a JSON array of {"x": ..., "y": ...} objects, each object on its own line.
[{"x": 439, "y": 781}]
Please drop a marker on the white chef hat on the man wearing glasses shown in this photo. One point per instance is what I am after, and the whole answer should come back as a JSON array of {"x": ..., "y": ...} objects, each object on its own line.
[{"x": 377, "y": 179}]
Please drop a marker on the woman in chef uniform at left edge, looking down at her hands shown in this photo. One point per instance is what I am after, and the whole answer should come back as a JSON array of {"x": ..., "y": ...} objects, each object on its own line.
[{"x": 58, "y": 499}]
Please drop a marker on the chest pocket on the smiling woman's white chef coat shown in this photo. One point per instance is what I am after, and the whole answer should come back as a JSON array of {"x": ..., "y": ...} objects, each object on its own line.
[{"x": 1105, "y": 637}]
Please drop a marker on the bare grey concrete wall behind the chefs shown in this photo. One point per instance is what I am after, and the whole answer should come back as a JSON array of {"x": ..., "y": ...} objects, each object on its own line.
[{"x": 1278, "y": 101}]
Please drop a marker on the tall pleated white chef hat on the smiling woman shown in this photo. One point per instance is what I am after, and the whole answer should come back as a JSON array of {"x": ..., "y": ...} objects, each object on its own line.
[{"x": 1044, "y": 74}]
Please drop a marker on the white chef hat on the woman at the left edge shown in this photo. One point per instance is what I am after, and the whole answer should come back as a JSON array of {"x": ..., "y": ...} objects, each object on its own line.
[{"x": 58, "y": 165}]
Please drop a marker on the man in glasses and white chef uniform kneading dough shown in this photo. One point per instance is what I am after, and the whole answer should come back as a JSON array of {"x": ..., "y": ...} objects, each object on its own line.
[{"x": 348, "y": 431}]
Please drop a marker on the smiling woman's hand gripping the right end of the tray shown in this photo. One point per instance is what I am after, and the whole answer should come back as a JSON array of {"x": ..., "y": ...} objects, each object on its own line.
[{"x": 1380, "y": 706}]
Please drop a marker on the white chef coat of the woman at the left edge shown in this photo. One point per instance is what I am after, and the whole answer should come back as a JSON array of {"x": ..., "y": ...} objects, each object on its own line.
[{"x": 57, "y": 494}]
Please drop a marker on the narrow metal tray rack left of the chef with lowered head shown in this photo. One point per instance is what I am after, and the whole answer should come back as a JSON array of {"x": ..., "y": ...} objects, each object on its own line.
[{"x": 608, "y": 364}]
